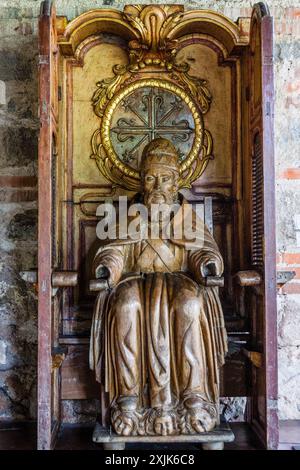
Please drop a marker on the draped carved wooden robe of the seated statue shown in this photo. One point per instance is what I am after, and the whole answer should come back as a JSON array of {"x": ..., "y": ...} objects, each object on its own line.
[{"x": 158, "y": 334}]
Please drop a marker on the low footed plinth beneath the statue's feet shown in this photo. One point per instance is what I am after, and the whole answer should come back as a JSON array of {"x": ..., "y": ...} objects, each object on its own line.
[{"x": 212, "y": 440}]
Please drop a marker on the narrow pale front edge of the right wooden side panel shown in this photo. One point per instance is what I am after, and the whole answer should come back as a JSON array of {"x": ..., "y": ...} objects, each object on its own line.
[{"x": 272, "y": 426}]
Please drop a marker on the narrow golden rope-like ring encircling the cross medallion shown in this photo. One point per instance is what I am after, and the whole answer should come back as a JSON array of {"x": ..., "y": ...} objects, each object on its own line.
[{"x": 165, "y": 85}]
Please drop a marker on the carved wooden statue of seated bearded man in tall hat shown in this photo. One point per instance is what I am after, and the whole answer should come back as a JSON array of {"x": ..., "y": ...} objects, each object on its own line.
[{"x": 158, "y": 336}]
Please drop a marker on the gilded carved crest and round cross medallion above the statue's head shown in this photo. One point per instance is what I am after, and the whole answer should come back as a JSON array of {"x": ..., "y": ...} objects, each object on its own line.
[{"x": 134, "y": 109}]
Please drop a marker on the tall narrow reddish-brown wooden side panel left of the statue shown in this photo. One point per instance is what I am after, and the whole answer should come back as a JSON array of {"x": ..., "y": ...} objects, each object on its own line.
[{"x": 47, "y": 424}]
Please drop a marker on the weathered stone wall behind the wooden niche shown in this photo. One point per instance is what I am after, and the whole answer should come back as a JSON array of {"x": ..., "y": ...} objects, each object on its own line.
[{"x": 18, "y": 195}]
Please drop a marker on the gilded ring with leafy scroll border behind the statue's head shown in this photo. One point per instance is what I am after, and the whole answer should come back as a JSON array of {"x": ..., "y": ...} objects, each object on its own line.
[{"x": 106, "y": 104}]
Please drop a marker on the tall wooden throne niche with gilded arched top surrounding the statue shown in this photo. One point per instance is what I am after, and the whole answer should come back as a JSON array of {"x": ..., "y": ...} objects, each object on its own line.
[{"x": 227, "y": 68}]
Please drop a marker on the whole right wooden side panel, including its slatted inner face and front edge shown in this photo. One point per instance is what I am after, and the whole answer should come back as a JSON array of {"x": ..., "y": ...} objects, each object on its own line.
[{"x": 263, "y": 313}]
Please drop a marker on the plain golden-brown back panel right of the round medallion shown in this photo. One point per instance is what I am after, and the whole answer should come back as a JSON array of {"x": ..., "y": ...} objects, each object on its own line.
[{"x": 204, "y": 59}]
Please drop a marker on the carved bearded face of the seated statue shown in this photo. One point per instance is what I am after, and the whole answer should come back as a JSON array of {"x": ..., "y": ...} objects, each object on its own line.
[{"x": 160, "y": 185}]
